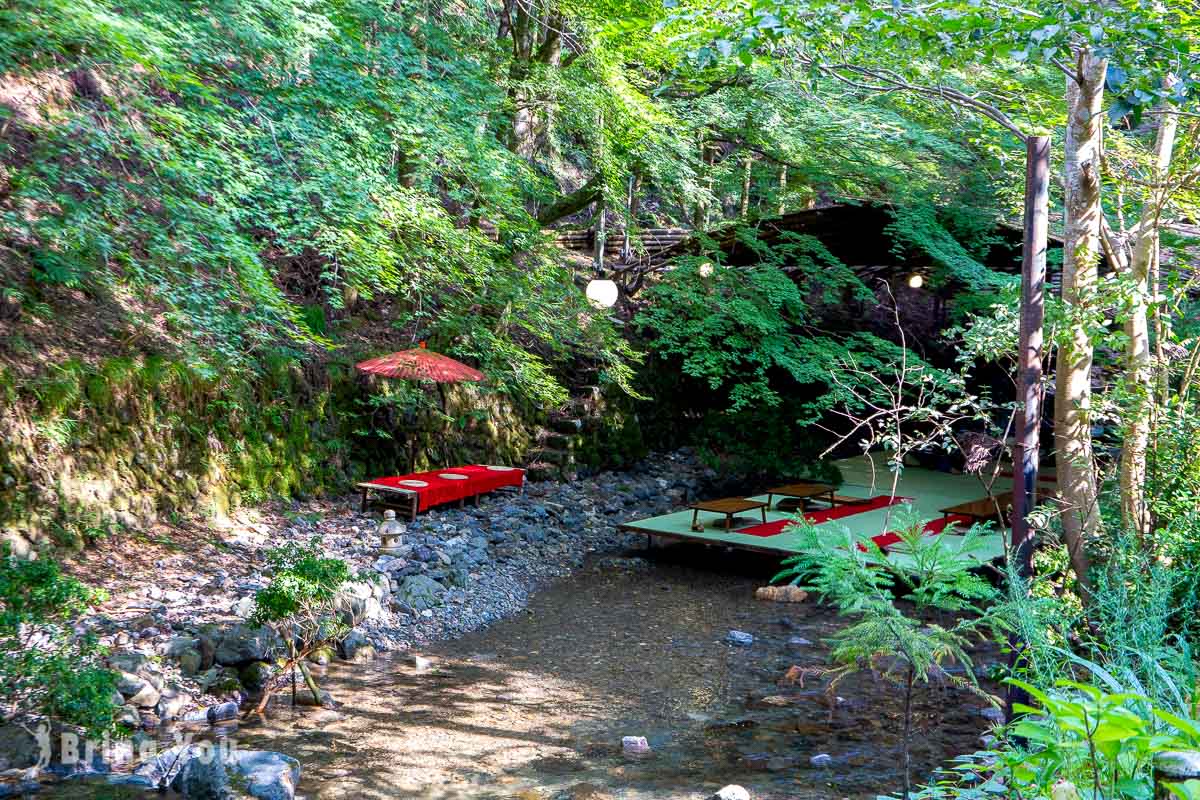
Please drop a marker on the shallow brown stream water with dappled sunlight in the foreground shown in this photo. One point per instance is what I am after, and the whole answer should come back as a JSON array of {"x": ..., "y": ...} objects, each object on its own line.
[{"x": 535, "y": 708}]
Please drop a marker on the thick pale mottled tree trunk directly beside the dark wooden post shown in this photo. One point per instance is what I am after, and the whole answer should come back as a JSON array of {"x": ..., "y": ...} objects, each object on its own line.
[{"x": 1073, "y": 378}]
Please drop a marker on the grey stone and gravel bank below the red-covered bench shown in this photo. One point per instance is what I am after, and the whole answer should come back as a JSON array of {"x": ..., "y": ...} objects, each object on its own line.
[{"x": 181, "y": 596}]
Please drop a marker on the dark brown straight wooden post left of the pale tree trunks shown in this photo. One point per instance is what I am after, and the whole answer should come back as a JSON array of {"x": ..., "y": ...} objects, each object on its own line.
[{"x": 1029, "y": 376}]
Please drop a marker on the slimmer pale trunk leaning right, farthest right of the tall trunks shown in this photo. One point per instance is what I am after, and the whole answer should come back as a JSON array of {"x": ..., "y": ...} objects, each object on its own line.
[{"x": 1139, "y": 374}]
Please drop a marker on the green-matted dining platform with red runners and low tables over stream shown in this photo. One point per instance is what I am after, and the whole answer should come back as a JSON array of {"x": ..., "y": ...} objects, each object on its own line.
[{"x": 863, "y": 507}]
